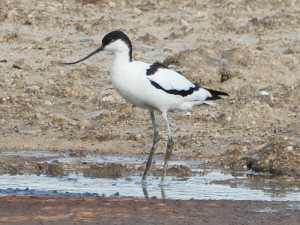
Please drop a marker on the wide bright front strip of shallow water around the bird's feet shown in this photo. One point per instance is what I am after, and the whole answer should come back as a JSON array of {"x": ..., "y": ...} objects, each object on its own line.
[{"x": 214, "y": 185}]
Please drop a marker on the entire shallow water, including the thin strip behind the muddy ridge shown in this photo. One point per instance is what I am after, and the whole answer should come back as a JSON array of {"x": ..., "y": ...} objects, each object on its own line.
[{"x": 202, "y": 184}]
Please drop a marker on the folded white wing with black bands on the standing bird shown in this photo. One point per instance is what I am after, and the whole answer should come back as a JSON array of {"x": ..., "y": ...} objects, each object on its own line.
[{"x": 167, "y": 79}]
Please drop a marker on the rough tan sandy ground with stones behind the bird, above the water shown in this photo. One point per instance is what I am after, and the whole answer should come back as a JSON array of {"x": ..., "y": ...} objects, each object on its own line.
[{"x": 250, "y": 49}]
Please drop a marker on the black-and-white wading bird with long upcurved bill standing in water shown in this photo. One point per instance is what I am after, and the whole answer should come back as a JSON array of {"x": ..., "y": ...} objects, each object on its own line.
[{"x": 152, "y": 86}]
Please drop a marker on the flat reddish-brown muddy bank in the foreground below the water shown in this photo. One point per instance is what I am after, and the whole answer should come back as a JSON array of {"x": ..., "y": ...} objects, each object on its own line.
[{"x": 78, "y": 210}]
